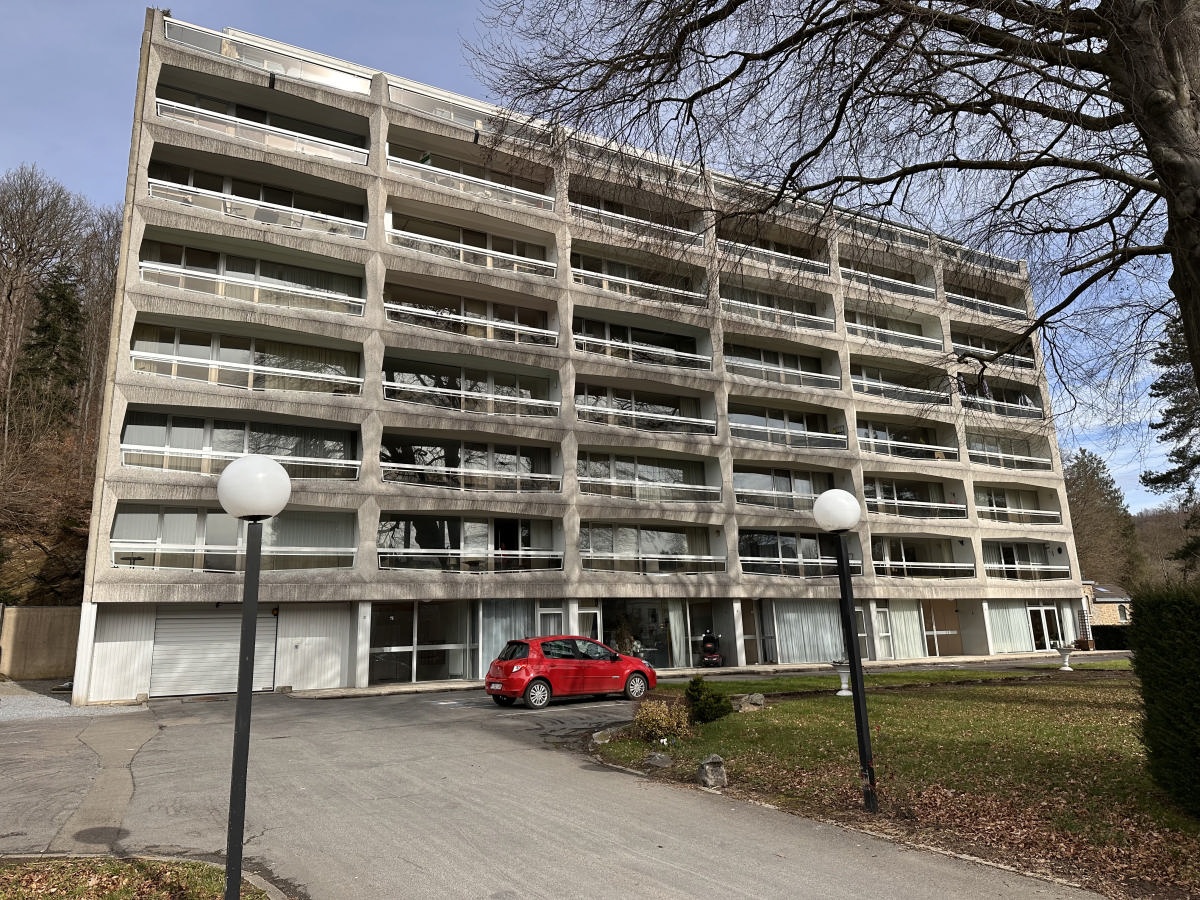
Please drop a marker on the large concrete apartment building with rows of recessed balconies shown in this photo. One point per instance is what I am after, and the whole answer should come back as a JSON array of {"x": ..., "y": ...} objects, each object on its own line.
[{"x": 527, "y": 389}]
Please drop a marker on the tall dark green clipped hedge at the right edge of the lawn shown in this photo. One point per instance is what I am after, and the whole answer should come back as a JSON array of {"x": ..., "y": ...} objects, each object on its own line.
[{"x": 1165, "y": 635}]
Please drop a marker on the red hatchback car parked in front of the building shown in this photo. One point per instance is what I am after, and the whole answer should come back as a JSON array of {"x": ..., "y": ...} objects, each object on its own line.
[{"x": 562, "y": 667}]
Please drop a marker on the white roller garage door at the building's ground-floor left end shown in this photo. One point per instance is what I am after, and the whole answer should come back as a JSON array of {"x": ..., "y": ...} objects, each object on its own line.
[{"x": 196, "y": 651}]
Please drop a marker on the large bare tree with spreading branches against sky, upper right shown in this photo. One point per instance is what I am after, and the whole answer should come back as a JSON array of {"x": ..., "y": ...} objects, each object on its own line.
[{"x": 1063, "y": 133}]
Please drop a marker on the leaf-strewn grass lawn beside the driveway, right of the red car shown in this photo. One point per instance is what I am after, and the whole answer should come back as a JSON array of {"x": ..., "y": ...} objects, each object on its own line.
[{"x": 1043, "y": 771}]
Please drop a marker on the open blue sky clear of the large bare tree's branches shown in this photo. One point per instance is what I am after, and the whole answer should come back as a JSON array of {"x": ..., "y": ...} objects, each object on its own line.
[{"x": 70, "y": 67}]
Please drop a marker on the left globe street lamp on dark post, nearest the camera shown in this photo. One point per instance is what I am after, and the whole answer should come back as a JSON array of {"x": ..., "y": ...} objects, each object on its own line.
[{"x": 251, "y": 489}]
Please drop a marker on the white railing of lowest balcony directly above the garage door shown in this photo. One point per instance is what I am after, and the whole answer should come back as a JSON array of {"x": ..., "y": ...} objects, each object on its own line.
[{"x": 142, "y": 555}]
